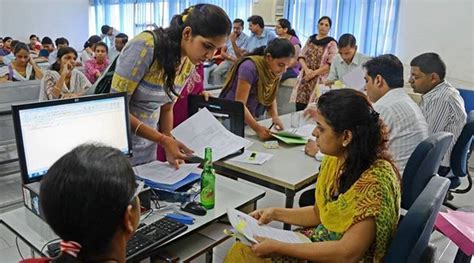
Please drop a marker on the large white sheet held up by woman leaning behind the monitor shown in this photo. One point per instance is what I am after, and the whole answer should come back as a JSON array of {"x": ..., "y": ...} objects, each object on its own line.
[{"x": 203, "y": 130}]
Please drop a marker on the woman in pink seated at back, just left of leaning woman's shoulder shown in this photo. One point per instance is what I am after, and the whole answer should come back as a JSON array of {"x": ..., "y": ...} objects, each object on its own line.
[{"x": 95, "y": 66}]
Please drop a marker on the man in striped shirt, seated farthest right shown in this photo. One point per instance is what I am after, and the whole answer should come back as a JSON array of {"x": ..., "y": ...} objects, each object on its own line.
[{"x": 441, "y": 103}]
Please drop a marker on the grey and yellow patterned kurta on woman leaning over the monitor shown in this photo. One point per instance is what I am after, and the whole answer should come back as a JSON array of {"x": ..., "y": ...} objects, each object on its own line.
[{"x": 144, "y": 86}]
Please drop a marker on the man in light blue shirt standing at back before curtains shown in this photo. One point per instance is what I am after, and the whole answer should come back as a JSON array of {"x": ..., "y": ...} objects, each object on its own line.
[{"x": 260, "y": 36}]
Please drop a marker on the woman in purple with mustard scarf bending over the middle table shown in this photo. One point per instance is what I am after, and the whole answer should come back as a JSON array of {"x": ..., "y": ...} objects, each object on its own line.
[{"x": 254, "y": 81}]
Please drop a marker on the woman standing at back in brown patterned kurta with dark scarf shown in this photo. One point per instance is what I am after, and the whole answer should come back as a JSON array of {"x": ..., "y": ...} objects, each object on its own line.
[{"x": 315, "y": 60}]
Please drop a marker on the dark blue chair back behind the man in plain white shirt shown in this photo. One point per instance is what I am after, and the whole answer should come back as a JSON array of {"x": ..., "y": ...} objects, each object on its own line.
[{"x": 422, "y": 165}]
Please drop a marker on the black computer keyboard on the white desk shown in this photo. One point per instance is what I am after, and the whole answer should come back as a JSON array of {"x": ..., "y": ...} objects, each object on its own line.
[{"x": 152, "y": 236}]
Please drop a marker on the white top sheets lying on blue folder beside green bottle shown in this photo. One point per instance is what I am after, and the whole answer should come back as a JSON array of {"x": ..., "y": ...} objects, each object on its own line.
[{"x": 164, "y": 173}]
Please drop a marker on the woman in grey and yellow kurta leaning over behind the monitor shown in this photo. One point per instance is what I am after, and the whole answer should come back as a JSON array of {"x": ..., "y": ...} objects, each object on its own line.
[{"x": 154, "y": 82}]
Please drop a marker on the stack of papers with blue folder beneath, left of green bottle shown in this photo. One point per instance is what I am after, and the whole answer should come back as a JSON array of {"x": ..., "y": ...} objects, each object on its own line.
[{"x": 161, "y": 175}]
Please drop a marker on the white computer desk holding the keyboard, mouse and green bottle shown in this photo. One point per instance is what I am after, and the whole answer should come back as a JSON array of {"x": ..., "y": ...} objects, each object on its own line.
[{"x": 229, "y": 193}]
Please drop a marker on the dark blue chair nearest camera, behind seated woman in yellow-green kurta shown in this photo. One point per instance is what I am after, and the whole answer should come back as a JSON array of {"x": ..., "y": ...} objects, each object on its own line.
[{"x": 410, "y": 243}]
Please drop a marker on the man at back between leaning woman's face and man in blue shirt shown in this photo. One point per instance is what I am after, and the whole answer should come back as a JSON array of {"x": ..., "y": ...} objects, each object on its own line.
[{"x": 218, "y": 74}]
